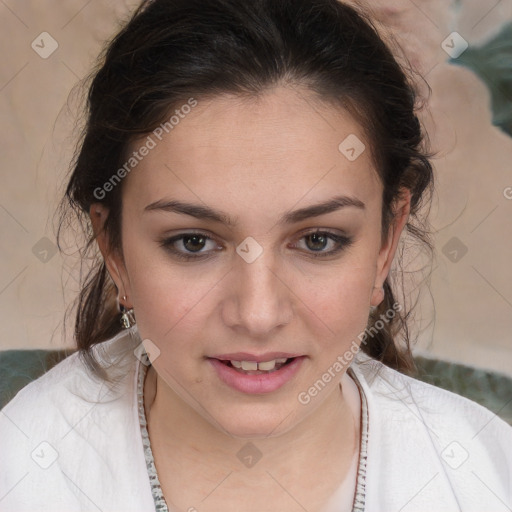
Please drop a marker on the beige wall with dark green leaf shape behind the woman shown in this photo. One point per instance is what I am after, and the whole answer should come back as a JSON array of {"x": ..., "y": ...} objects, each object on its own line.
[{"x": 463, "y": 50}]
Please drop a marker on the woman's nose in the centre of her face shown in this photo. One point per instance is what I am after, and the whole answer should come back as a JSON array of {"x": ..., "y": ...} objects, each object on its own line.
[{"x": 259, "y": 302}]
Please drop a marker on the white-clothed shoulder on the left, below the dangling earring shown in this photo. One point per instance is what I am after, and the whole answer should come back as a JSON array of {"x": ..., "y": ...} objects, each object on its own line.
[{"x": 69, "y": 430}]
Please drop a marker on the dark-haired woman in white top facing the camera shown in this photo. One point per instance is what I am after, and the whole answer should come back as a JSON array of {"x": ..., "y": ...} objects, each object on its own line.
[{"x": 248, "y": 169}]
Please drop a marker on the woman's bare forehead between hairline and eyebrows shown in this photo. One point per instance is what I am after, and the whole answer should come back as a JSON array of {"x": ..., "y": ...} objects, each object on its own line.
[{"x": 260, "y": 153}]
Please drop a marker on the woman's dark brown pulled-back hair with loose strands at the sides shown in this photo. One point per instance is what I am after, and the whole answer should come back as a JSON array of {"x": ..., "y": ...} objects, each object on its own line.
[{"x": 172, "y": 50}]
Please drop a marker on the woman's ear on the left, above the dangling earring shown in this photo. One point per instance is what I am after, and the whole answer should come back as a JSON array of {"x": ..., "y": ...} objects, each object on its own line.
[{"x": 113, "y": 260}]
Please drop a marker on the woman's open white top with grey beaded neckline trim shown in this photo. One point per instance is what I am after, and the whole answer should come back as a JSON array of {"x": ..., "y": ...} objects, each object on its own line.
[{"x": 69, "y": 443}]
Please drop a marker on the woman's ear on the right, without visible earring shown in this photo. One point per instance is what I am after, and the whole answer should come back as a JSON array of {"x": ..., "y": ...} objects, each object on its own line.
[{"x": 401, "y": 211}]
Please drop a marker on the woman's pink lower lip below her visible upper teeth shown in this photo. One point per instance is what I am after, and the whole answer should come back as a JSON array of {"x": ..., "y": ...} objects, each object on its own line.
[{"x": 257, "y": 384}]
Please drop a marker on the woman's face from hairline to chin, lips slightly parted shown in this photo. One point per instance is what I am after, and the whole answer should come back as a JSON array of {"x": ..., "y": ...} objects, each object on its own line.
[{"x": 227, "y": 258}]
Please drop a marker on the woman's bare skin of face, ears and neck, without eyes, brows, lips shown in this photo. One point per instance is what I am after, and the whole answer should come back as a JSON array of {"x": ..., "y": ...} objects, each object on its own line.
[{"x": 255, "y": 160}]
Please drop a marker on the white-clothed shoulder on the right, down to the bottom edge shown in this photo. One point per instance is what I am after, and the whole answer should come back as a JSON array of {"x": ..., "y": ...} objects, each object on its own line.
[{"x": 419, "y": 433}]
